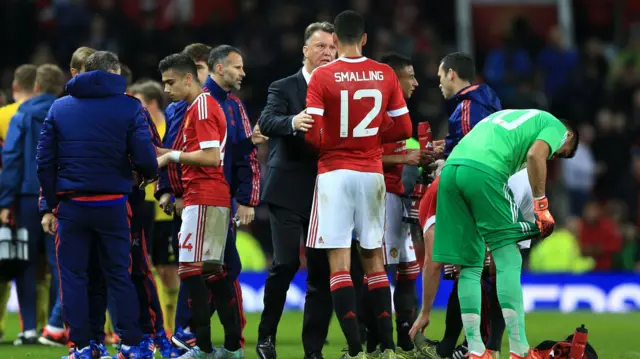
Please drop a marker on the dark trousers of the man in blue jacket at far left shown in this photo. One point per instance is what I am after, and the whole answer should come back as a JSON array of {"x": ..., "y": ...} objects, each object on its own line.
[{"x": 28, "y": 217}]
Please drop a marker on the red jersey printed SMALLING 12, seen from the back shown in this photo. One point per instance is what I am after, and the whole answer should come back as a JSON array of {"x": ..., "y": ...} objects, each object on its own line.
[{"x": 347, "y": 99}]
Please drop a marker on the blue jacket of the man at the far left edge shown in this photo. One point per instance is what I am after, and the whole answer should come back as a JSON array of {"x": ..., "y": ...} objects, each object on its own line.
[{"x": 19, "y": 153}]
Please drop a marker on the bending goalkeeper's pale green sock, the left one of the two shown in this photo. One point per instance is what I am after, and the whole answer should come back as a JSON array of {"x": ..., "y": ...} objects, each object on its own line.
[{"x": 470, "y": 295}]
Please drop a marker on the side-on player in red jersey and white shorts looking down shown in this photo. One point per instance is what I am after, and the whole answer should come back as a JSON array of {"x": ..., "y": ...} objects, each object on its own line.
[{"x": 203, "y": 234}]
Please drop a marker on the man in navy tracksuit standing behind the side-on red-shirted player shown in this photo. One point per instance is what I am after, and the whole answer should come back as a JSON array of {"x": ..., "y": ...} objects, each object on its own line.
[{"x": 243, "y": 173}]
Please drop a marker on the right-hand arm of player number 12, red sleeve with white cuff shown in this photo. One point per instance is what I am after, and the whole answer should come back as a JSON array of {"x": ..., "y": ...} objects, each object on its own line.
[{"x": 400, "y": 127}]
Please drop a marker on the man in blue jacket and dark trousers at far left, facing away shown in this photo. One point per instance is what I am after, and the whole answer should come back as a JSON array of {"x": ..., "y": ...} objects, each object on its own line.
[{"x": 19, "y": 188}]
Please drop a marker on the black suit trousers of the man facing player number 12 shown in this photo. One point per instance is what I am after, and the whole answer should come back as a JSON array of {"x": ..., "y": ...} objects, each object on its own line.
[{"x": 288, "y": 233}]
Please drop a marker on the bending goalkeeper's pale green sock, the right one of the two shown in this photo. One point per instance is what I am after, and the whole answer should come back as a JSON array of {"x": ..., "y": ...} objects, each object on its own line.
[{"x": 508, "y": 269}]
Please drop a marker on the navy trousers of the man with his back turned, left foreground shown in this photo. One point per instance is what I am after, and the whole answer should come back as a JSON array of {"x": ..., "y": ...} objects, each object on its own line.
[{"x": 80, "y": 228}]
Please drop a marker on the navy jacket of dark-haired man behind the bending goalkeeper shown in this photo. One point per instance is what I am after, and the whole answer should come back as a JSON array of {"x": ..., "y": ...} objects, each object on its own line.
[{"x": 467, "y": 108}]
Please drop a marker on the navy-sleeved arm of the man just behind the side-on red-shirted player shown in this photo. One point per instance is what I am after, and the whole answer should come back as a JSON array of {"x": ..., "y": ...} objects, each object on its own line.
[{"x": 245, "y": 183}]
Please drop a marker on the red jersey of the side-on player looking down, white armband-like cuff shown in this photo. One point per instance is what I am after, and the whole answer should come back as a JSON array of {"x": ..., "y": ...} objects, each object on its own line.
[{"x": 205, "y": 126}]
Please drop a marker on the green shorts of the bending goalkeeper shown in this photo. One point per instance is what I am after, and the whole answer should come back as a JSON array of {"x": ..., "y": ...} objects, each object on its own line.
[{"x": 474, "y": 211}]
